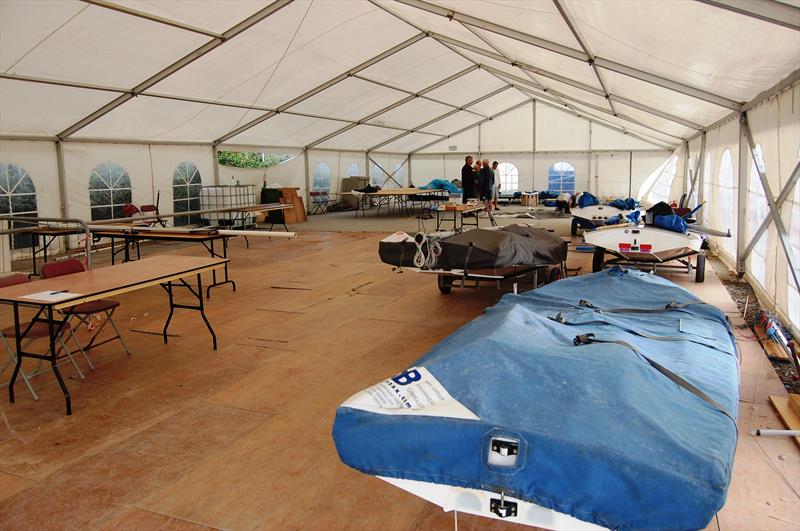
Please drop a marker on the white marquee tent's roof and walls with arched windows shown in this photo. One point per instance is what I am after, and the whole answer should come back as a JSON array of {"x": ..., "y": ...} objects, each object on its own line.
[{"x": 649, "y": 98}]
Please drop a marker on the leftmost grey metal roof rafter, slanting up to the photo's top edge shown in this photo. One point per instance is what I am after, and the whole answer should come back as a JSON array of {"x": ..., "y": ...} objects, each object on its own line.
[{"x": 177, "y": 65}]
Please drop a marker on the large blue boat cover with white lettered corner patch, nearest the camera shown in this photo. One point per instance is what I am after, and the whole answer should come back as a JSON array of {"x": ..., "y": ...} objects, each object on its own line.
[{"x": 604, "y": 435}]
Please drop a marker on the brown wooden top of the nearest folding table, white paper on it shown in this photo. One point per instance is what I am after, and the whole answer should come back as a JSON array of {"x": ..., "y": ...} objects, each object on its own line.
[{"x": 106, "y": 281}]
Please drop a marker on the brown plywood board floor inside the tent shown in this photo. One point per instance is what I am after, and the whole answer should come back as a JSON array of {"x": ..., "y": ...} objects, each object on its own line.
[{"x": 181, "y": 437}]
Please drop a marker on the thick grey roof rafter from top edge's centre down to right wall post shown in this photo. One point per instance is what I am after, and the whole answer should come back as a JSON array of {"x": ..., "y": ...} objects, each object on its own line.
[{"x": 575, "y": 54}]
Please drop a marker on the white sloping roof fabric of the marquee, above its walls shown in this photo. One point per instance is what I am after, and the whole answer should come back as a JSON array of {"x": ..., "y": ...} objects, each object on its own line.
[{"x": 380, "y": 74}]
